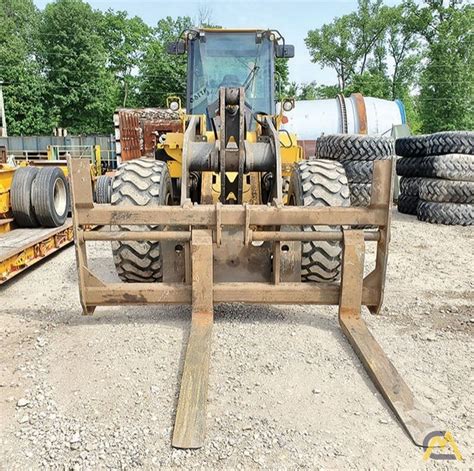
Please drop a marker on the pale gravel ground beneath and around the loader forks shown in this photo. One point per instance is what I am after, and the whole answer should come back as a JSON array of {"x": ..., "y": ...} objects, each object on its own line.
[{"x": 286, "y": 390}]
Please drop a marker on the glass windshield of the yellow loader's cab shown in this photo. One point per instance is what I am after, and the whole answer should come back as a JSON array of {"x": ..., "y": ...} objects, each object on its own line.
[{"x": 230, "y": 60}]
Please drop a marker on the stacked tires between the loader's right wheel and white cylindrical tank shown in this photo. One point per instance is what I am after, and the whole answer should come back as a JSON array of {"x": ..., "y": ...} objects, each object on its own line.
[{"x": 357, "y": 154}]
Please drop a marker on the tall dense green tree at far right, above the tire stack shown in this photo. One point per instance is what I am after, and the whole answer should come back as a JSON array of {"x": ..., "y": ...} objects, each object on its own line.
[{"x": 447, "y": 81}]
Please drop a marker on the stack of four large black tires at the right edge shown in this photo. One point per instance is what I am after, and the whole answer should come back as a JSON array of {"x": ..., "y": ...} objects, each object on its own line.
[{"x": 437, "y": 177}]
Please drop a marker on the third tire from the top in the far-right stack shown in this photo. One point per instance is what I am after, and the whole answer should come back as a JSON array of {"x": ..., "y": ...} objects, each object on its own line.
[{"x": 446, "y": 191}]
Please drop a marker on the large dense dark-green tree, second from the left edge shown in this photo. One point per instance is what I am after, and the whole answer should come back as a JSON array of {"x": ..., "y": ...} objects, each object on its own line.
[{"x": 81, "y": 89}]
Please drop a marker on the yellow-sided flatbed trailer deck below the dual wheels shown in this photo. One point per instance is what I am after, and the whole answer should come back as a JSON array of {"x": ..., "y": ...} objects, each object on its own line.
[{"x": 22, "y": 248}]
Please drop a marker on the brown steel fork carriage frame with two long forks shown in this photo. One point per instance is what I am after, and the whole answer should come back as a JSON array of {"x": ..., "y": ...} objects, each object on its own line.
[{"x": 199, "y": 231}]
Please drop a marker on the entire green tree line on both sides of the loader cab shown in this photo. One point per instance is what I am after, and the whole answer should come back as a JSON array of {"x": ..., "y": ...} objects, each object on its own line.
[{"x": 71, "y": 66}]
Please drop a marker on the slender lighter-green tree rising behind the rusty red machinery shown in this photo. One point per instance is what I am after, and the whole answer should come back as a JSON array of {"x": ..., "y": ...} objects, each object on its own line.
[{"x": 125, "y": 40}]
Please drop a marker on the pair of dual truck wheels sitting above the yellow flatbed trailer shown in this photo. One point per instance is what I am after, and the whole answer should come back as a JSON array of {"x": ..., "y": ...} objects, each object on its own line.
[{"x": 39, "y": 197}]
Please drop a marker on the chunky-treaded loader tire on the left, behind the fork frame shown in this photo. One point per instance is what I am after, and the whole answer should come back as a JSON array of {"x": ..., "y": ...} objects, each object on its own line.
[{"x": 140, "y": 182}]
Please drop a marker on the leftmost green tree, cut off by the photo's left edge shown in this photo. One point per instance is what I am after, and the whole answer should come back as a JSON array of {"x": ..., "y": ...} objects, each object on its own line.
[{"x": 25, "y": 86}]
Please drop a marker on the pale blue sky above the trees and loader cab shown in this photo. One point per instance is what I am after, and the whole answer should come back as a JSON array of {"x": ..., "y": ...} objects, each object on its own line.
[{"x": 293, "y": 18}]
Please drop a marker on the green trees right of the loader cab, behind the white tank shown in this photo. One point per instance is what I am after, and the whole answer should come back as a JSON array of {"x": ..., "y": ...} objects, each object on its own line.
[{"x": 421, "y": 54}]
